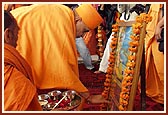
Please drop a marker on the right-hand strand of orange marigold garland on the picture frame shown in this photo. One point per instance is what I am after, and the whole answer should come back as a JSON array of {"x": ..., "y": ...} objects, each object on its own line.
[{"x": 129, "y": 71}]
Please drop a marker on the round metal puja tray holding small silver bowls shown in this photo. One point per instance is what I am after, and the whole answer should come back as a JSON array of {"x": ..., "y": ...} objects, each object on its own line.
[{"x": 59, "y": 101}]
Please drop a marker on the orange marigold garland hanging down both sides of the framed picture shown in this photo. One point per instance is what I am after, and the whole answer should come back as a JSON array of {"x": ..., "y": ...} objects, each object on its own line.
[{"x": 110, "y": 83}]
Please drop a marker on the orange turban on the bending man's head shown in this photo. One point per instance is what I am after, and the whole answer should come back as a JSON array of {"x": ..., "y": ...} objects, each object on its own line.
[{"x": 89, "y": 15}]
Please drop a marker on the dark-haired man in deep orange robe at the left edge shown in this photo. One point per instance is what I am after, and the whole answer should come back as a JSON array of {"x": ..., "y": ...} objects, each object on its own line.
[{"x": 20, "y": 93}]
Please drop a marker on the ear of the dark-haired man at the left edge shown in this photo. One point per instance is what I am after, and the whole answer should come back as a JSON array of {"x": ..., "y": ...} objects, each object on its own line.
[{"x": 7, "y": 35}]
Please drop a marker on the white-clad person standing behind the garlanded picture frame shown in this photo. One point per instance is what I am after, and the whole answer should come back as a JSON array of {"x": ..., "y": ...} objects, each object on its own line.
[{"x": 126, "y": 15}]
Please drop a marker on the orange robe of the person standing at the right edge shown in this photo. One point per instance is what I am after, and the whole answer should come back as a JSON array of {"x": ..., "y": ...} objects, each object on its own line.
[{"x": 154, "y": 59}]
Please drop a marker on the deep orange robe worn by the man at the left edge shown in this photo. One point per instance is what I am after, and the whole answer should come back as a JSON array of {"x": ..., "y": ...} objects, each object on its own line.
[{"x": 19, "y": 90}]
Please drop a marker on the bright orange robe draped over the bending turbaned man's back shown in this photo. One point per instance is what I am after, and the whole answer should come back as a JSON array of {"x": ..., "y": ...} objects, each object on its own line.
[{"x": 47, "y": 41}]
